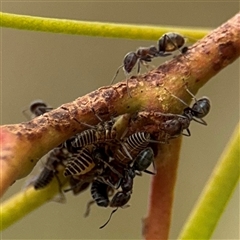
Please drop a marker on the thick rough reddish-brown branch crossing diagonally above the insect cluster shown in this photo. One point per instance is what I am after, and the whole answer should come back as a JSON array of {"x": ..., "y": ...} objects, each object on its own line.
[{"x": 31, "y": 140}]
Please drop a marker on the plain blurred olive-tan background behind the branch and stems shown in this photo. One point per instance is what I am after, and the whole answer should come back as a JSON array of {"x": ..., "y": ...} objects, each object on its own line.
[{"x": 59, "y": 68}]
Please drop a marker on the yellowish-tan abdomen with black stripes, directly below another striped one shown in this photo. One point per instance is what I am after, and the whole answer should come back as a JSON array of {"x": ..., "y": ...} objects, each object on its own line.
[{"x": 80, "y": 163}]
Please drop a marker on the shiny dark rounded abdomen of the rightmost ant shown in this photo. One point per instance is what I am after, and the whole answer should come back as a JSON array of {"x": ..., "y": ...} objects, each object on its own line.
[{"x": 201, "y": 108}]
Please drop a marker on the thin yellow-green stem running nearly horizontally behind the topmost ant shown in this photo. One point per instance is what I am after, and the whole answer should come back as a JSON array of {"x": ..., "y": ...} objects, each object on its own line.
[{"x": 96, "y": 29}]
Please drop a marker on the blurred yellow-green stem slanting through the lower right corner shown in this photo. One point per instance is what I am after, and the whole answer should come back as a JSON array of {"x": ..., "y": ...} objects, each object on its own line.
[{"x": 216, "y": 194}]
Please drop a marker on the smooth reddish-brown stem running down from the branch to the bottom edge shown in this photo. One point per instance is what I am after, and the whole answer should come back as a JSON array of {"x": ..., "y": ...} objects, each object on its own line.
[{"x": 157, "y": 224}]
